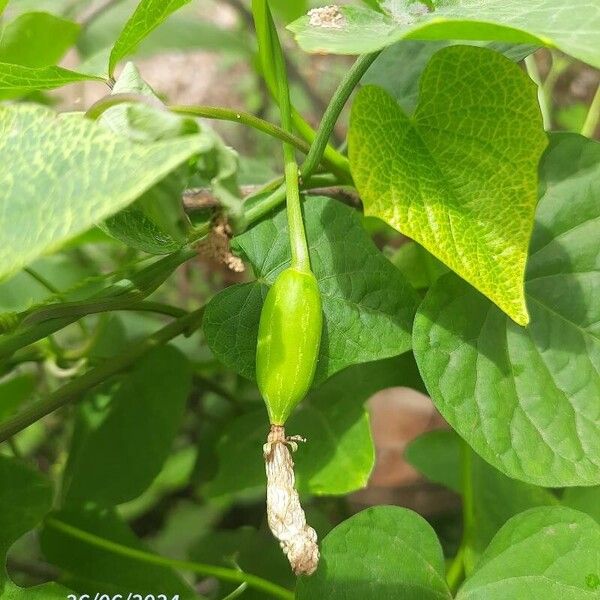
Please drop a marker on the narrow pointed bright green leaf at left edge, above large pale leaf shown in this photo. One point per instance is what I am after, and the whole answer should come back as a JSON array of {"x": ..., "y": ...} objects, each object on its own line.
[{"x": 22, "y": 79}]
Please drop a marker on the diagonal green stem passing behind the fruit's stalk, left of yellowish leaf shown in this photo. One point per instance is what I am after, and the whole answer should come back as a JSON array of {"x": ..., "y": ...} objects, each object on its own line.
[{"x": 330, "y": 117}]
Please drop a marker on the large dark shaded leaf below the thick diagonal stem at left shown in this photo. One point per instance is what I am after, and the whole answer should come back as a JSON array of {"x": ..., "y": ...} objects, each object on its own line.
[{"x": 148, "y": 404}]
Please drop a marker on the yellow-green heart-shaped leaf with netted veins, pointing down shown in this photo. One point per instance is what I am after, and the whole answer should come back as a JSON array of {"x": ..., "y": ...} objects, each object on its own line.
[{"x": 446, "y": 176}]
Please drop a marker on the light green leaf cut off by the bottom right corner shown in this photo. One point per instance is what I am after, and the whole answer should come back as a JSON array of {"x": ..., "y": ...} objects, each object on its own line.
[{"x": 549, "y": 553}]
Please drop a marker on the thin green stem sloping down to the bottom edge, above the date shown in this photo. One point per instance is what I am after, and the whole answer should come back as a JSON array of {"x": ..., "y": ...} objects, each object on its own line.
[{"x": 222, "y": 573}]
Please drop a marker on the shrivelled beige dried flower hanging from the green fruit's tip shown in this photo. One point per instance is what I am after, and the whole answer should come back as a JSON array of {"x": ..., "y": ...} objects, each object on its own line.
[{"x": 284, "y": 512}]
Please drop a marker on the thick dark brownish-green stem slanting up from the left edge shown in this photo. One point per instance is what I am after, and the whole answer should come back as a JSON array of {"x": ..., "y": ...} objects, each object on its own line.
[{"x": 73, "y": 390}]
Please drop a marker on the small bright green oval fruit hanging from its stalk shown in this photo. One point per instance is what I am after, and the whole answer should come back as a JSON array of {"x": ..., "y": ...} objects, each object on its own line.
[{"x": 289, "y": 335}]
